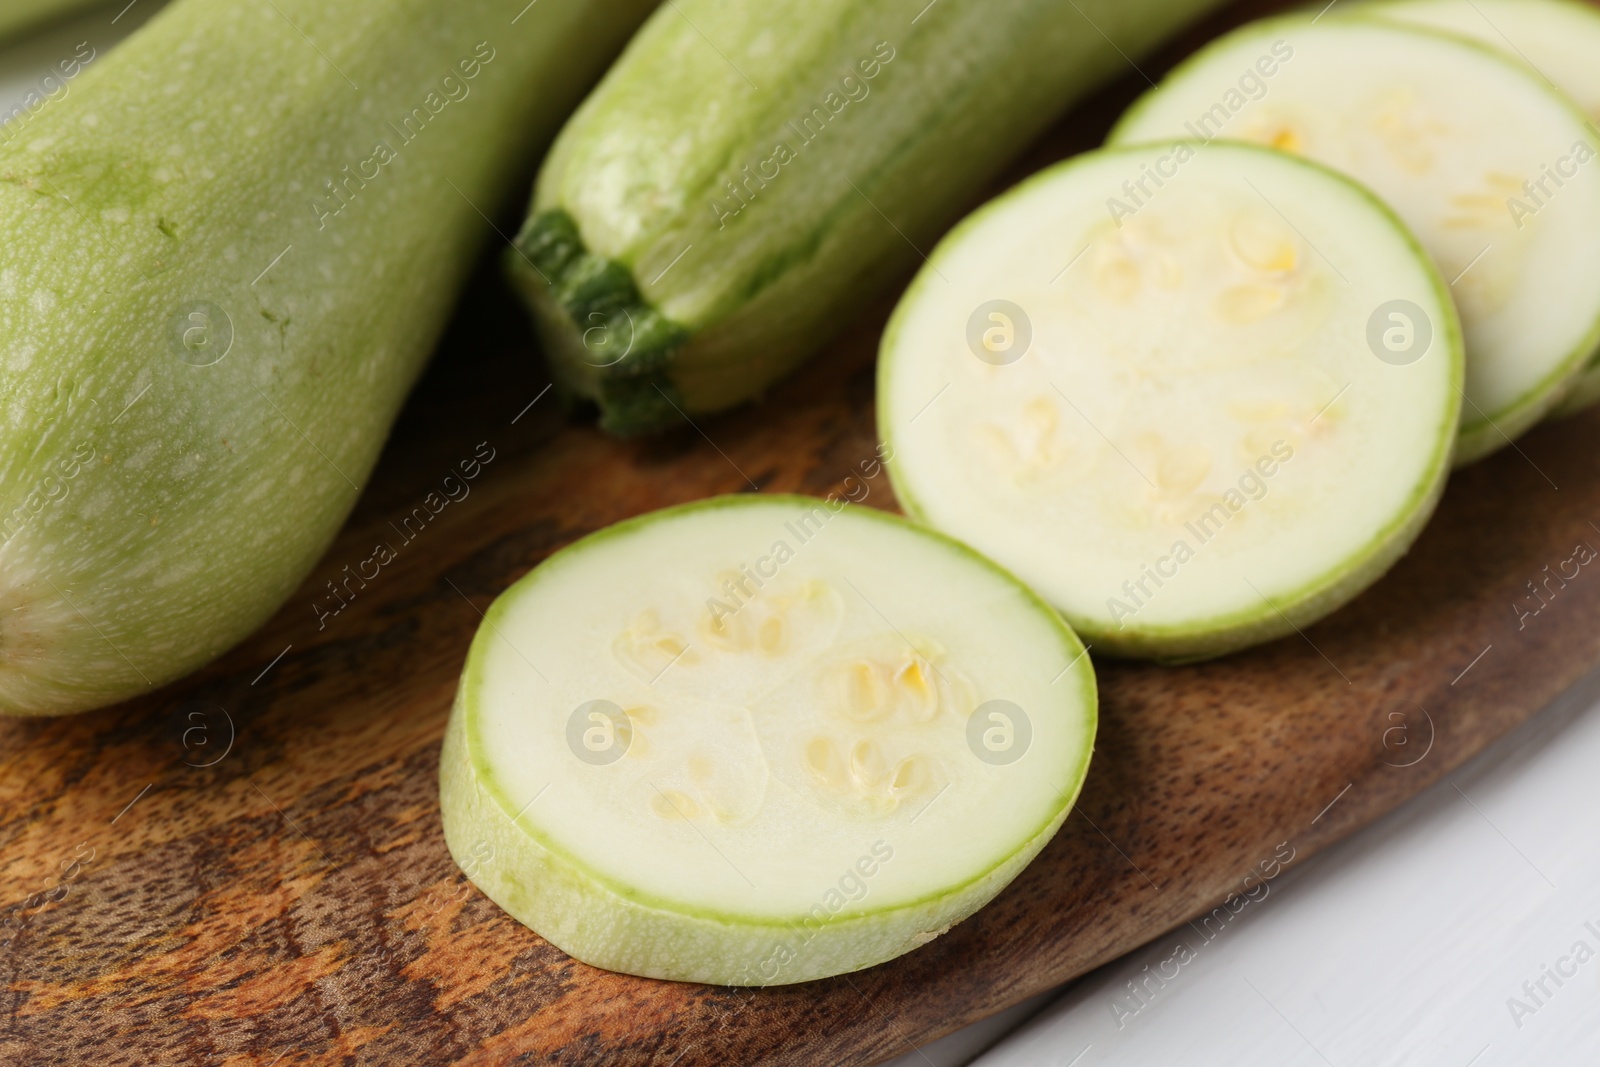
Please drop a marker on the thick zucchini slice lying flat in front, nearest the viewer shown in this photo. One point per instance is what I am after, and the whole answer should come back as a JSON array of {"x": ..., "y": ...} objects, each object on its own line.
[{"x": 818, "y": 730}]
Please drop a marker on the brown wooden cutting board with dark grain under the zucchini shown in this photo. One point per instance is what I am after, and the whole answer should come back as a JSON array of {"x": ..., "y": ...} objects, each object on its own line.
[{"x": 247, "y": 868}]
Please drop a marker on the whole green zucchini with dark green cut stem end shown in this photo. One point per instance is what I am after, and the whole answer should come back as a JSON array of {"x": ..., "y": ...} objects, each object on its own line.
[{"x": 748, "y": 177}]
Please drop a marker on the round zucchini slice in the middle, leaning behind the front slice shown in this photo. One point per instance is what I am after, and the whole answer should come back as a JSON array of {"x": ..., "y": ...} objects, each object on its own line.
[{"x": 1198, "y": 398}]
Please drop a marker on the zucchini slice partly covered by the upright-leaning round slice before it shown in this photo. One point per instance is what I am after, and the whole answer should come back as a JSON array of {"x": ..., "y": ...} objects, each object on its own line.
[{"x": 1446, "y": 132}]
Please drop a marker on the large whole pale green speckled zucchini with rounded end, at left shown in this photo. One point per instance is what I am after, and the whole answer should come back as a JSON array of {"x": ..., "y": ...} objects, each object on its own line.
[{"x": 156, "y": 511}]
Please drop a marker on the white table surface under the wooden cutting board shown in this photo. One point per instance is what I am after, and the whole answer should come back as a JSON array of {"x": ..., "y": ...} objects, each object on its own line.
[{"x": 1401, "y": 946}]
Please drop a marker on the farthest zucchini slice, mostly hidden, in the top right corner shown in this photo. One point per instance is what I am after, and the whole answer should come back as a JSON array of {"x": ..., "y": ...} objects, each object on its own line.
[{"x": 1559, "y": 39}]
